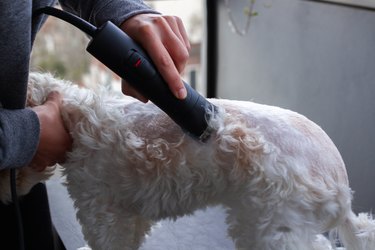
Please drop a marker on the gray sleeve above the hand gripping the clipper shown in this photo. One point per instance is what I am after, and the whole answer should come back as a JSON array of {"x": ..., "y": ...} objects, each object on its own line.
[{"x": 99, "y": 11}]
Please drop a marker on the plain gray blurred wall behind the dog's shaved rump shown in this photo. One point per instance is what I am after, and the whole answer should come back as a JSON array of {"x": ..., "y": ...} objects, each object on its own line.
[{"x": 312, "y": 57}]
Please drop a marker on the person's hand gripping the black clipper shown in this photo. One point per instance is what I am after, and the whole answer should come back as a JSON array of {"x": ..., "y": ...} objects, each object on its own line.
[{"x": 165, "y": 40}]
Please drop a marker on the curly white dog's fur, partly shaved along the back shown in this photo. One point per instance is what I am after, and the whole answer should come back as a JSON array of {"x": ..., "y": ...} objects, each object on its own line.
[{"x": 280, "y": 177}]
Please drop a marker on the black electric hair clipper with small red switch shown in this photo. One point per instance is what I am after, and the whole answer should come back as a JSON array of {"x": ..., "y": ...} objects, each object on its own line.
[{"x": 121, "y": 54}]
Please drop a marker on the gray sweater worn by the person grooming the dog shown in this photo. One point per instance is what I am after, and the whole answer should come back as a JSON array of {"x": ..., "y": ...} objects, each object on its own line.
[{"x": 19, "y": 126}]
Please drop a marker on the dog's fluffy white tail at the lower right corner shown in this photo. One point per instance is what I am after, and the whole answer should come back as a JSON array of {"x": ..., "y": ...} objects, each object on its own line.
[{"x": 357, "y": 232}]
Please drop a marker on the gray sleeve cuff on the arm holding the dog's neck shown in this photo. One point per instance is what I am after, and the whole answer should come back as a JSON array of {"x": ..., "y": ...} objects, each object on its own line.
[{"x": 19, "y": 137}]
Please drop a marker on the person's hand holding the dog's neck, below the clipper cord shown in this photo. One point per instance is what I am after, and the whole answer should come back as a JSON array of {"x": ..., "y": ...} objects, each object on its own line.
[{"x": 54, "y": 139}]
